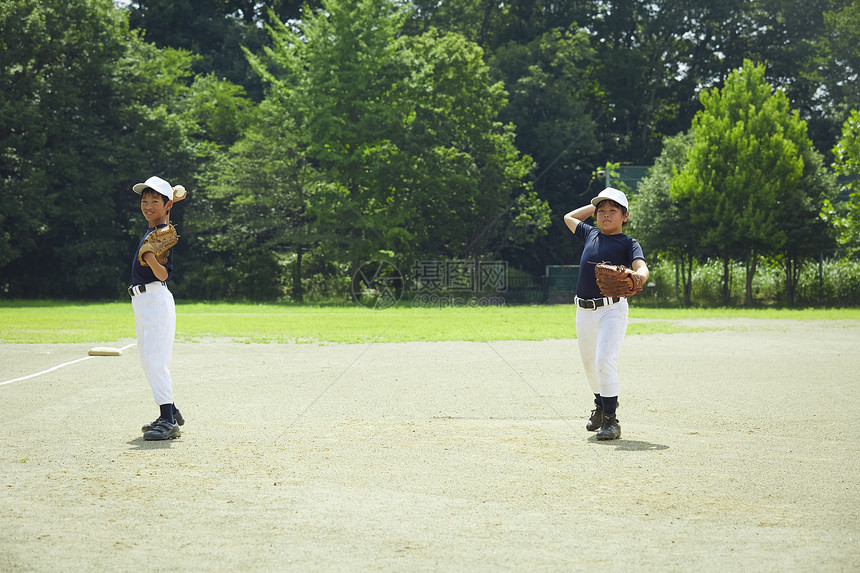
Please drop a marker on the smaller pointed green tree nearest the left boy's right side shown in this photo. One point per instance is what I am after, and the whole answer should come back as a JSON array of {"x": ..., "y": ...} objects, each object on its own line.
[{"x": 264, "y": 200}]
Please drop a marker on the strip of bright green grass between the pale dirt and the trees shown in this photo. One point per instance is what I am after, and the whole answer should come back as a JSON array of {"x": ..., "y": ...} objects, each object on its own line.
[{"x": 63, "y": 322}]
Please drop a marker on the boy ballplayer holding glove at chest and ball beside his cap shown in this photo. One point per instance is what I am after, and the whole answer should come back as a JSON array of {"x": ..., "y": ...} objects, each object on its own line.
[{"x": 154, "y": 309}]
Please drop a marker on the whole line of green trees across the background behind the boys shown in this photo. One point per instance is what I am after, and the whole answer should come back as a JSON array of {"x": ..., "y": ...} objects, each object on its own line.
[{"x": 317, "y": 136}]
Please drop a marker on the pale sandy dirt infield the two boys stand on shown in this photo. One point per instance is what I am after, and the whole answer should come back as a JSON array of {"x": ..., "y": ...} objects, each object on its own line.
[{"x": 740, "y": 451}]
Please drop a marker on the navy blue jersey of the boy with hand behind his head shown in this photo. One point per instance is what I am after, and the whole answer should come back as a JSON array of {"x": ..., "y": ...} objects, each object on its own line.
[{"x": 616, "y": 249}]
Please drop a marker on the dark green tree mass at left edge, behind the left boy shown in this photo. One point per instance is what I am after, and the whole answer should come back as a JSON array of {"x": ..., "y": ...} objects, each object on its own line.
[{"x": 69, "y": 139}]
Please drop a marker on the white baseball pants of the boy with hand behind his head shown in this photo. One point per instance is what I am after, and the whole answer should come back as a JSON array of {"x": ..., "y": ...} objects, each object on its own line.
[{"x": 599, "y": 334}]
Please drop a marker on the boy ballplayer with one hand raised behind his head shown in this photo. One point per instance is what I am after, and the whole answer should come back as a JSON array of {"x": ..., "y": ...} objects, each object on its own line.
[{"x": 601, "y": 321}]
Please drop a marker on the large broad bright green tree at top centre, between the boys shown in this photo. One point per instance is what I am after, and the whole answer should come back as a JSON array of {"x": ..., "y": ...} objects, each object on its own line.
[{"x": 406, "y": 129}]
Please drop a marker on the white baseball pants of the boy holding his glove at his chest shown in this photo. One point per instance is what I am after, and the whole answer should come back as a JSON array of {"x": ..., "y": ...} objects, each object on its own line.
[{"x": 155, "y": 321}]
